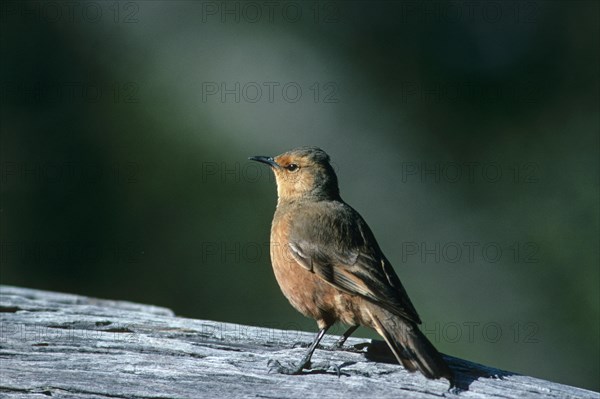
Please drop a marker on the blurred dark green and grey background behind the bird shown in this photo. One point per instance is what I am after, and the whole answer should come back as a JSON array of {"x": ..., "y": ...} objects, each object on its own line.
[{"x": 466, "y": 133}]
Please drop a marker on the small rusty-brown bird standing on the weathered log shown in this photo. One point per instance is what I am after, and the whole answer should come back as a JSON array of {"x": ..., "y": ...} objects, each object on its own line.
[{"x": 330, "y": 267}]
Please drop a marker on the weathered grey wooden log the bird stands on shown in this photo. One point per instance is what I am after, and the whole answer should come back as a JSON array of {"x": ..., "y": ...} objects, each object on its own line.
[{"x": 70, "y": 346}]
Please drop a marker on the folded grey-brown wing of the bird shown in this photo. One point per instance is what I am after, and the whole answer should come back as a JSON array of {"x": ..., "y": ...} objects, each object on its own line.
[{"x": 337, "y": 245}]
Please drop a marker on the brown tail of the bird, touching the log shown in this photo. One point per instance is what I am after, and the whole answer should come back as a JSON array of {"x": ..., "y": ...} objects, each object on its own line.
[{"x": 409, "y": 345}]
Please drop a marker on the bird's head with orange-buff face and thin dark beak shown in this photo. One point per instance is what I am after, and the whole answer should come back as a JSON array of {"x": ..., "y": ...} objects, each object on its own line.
[{"x": 303, "y": 173}]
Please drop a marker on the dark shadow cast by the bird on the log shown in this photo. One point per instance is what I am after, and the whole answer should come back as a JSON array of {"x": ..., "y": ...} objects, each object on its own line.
[{"x": 465, "y": 372}]
